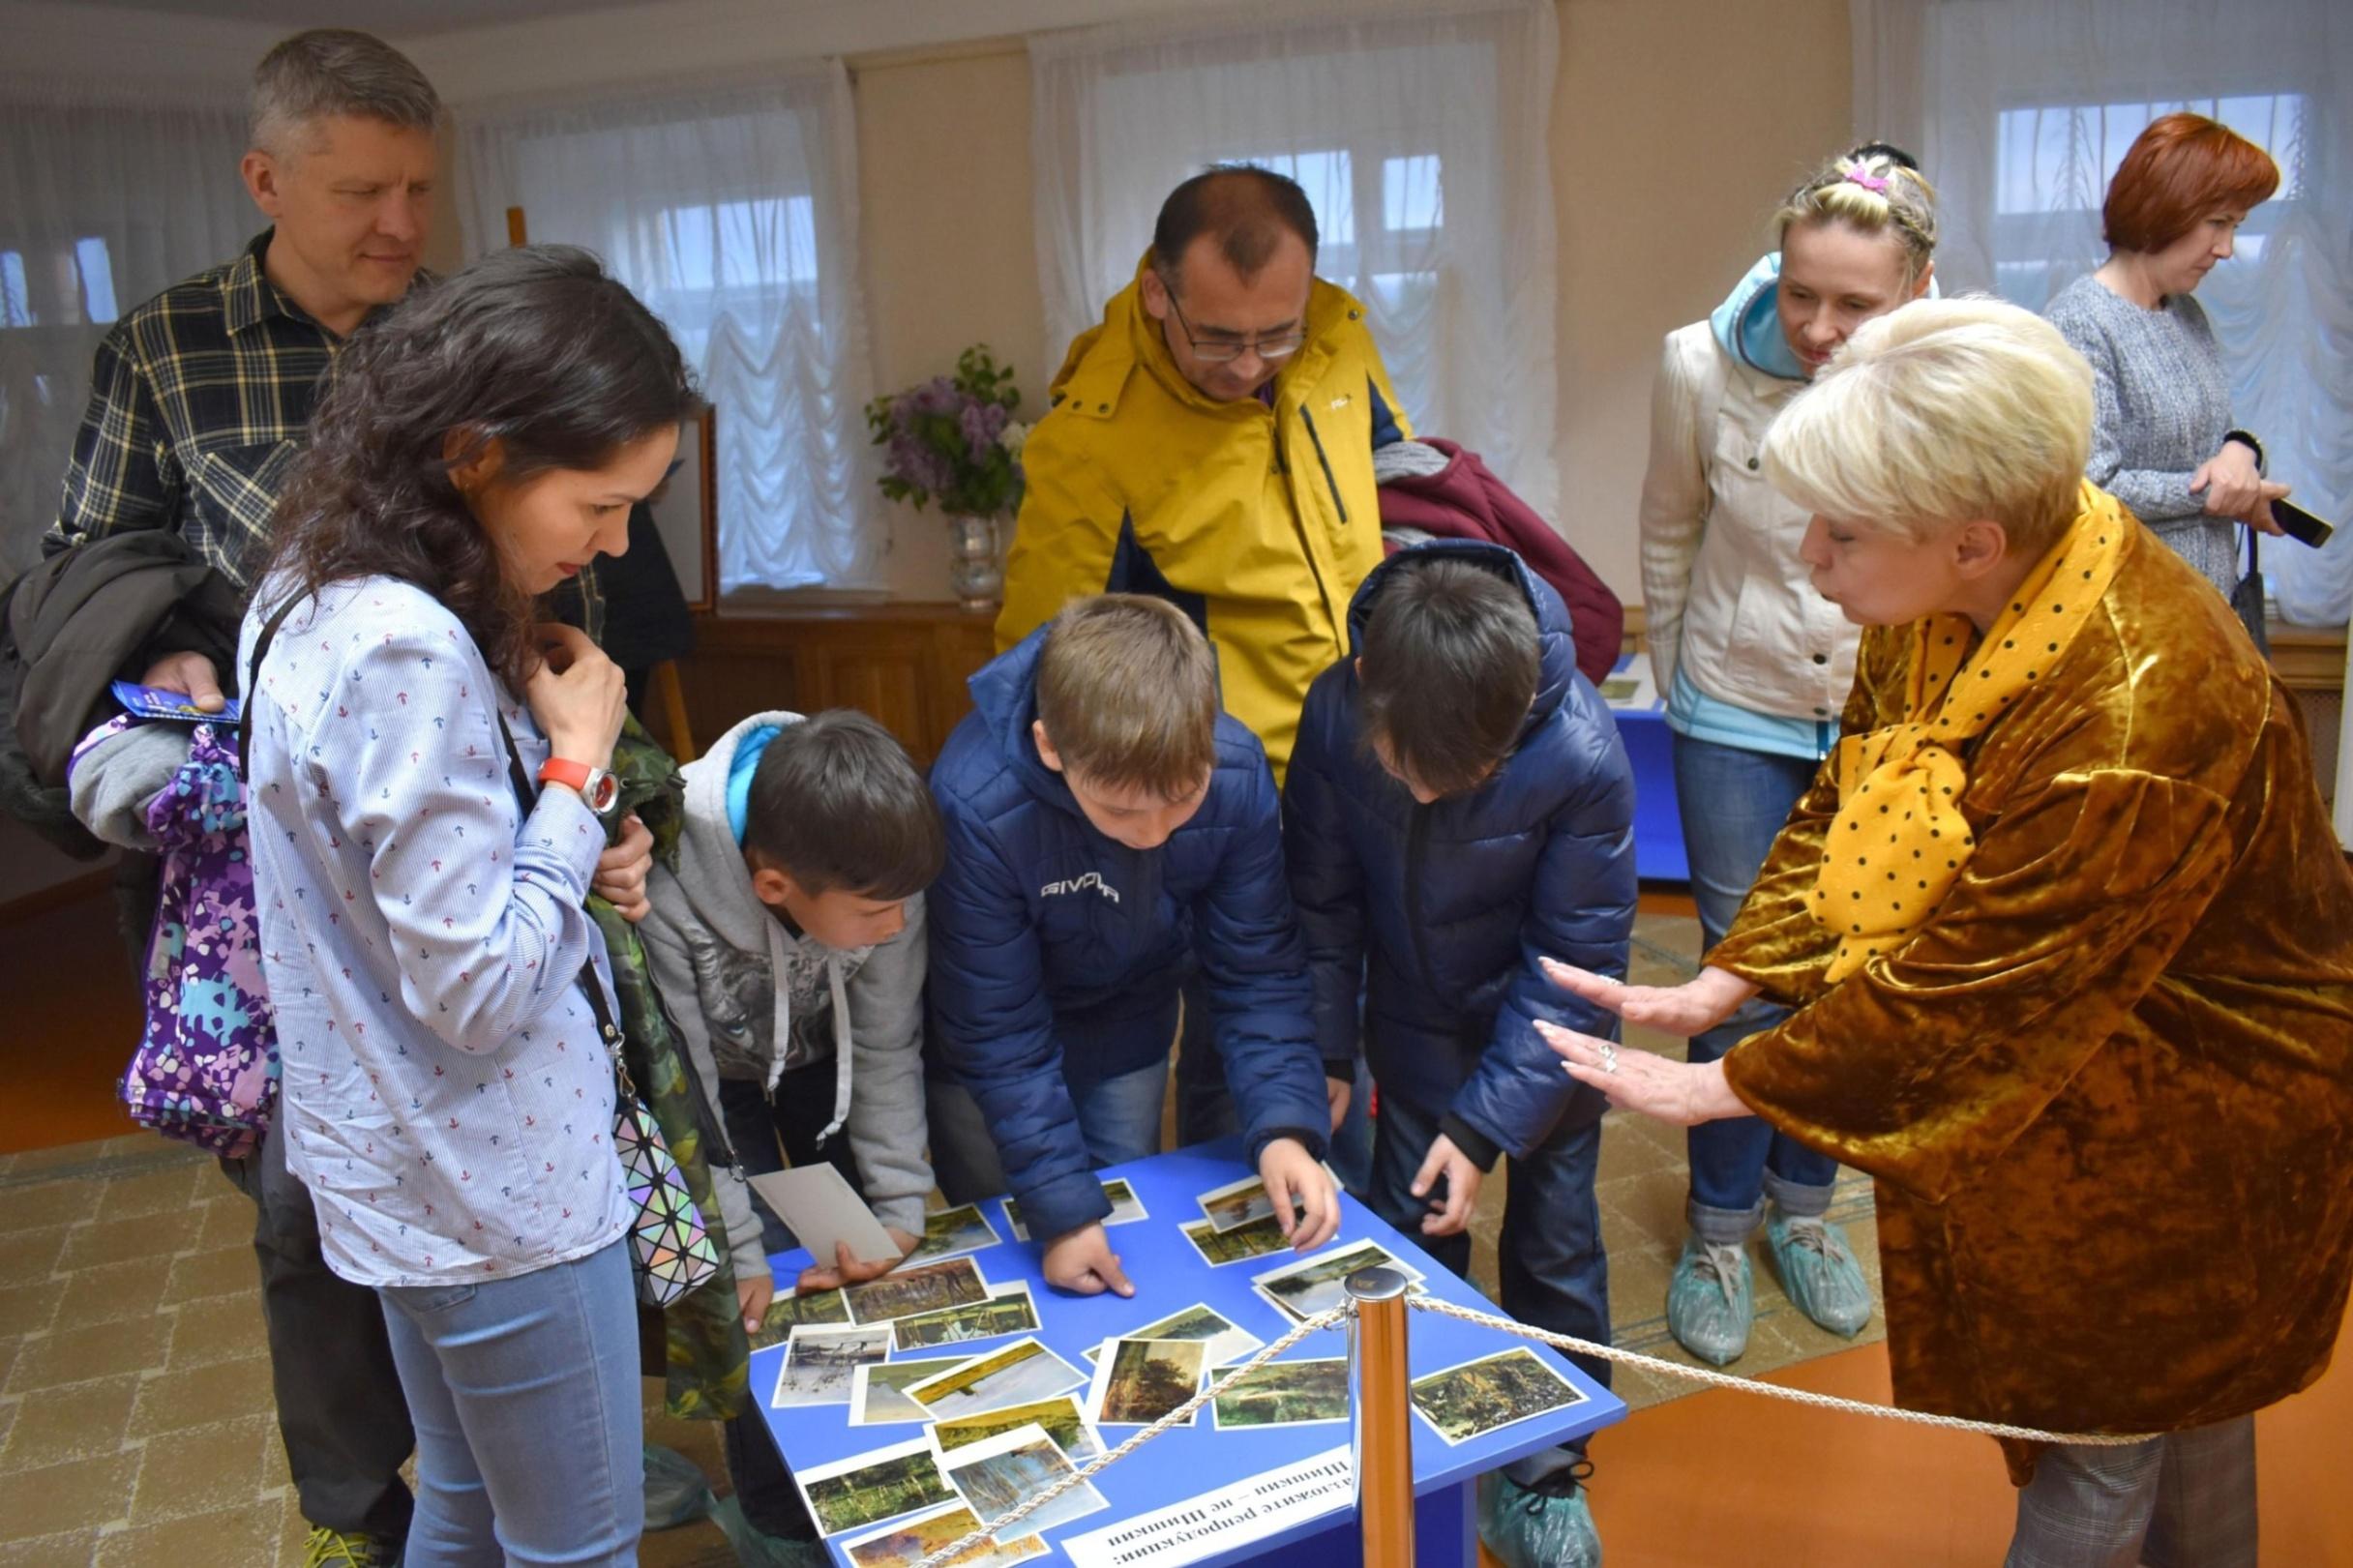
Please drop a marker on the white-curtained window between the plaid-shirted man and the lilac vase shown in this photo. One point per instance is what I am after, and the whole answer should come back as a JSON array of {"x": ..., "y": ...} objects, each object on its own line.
[{"x": 733, "y": 215}]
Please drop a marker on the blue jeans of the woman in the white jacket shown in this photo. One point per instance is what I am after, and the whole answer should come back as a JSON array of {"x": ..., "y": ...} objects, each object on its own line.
[{"x": 1733, "y": 808}]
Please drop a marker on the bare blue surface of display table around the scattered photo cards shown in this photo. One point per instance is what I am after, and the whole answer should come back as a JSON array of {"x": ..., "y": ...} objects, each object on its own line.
[{"x": 1192, "y": 1461}]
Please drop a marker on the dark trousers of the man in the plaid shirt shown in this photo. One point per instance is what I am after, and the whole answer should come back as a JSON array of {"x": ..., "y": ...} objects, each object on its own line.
[{"x": 340, "y": 1407}]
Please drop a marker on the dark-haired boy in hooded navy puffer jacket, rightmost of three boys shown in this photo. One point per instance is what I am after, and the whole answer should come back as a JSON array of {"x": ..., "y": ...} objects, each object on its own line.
[{"x": 1458, "y": 810}]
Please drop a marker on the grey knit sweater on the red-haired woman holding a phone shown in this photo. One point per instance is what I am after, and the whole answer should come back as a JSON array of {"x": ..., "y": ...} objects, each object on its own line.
[{"x": 2161, "y": 410}]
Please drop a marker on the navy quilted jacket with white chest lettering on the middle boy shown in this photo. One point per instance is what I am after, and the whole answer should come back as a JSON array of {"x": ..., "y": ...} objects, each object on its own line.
[{"x": 1058, "y": 953}]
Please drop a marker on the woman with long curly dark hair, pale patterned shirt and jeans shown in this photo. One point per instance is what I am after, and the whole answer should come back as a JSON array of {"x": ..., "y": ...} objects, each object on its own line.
[{"x": 446, "y": 1090}]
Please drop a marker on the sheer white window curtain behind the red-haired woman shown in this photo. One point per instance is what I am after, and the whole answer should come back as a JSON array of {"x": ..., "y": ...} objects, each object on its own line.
[{"x": 2022, "y": 109}]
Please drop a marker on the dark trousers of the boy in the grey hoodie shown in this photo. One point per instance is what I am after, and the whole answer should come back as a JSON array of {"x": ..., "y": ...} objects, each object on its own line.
[{"x": 768, "y": 1132}]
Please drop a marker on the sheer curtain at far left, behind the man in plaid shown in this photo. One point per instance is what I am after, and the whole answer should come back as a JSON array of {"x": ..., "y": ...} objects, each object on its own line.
[{"x": 105, "y": 203}]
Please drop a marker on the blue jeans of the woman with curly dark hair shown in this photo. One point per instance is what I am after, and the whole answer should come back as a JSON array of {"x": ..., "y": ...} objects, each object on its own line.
[{"x": 528, "y": 1416}]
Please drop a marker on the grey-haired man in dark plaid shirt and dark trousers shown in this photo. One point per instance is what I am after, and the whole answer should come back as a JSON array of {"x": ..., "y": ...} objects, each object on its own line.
[{"x": 199, "y": 406}]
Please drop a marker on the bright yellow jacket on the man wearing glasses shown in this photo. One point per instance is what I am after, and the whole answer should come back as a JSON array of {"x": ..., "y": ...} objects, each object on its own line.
[{"x": 1255, "y": 521}]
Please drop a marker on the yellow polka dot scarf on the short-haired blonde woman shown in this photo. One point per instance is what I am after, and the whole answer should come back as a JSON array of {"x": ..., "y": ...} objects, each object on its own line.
[{"x": 1900, "y": 840}]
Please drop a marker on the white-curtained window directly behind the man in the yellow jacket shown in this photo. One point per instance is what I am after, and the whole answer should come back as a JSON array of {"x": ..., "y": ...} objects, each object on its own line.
[{"x": 1420, "y": 140}]
